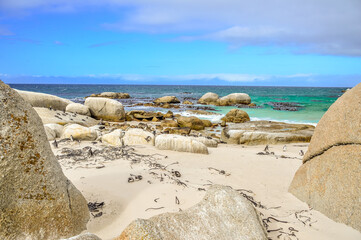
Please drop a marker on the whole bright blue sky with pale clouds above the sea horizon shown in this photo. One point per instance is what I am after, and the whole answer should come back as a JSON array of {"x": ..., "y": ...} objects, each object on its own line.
[{"x": 215, "y": 42}]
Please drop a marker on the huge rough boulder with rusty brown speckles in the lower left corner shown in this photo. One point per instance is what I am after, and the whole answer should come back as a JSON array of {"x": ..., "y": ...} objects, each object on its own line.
[{"x": 37, "y": 201}]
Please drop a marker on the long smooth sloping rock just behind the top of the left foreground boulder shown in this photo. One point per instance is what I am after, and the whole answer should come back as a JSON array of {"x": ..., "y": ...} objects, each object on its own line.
[{"x": 44, "y": 100}]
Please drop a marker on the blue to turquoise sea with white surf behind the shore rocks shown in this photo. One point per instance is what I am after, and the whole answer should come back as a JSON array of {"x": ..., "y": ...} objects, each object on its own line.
[{"x": 311, "y": 102}]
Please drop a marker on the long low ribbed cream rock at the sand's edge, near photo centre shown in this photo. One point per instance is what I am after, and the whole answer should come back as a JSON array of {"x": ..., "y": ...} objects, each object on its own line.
[{"x": 180, "y": 144}]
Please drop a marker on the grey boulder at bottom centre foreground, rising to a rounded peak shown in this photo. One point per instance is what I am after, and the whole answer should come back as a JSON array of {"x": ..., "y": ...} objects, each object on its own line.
[{"x": 222, "y": 214}]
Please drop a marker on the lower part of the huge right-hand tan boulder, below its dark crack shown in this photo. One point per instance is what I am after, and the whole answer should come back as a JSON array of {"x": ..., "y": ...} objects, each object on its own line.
[{"x": 330, "y": 183}]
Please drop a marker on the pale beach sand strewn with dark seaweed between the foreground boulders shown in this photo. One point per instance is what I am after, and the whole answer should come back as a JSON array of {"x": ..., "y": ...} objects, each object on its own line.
[{"x": 267, "y": 176}]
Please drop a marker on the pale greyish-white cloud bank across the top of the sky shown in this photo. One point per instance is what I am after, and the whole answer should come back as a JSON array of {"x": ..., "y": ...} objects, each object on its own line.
[{"x": 327, "y": 27}]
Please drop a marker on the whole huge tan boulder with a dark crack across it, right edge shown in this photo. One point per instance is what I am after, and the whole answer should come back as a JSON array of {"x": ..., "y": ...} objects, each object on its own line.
[{"x": 329, "y": 179}]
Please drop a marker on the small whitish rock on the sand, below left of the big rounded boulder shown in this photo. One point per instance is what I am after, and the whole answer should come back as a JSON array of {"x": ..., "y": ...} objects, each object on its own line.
[{"x": 79, "y": 132}]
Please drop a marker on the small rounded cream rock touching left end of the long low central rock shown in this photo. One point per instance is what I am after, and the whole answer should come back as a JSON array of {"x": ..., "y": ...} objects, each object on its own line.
[{"x": 137, "y": 136}]
